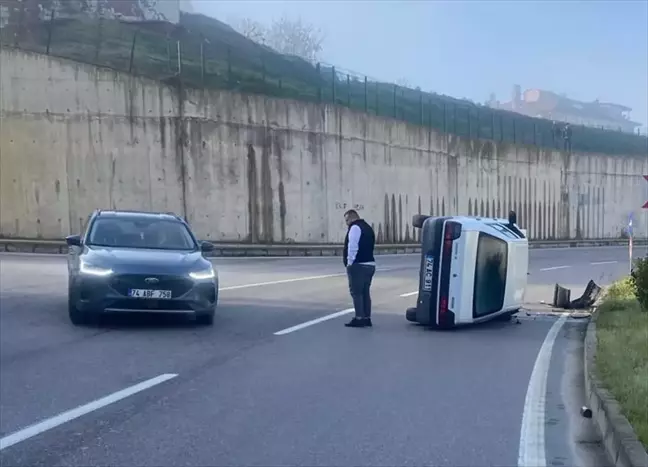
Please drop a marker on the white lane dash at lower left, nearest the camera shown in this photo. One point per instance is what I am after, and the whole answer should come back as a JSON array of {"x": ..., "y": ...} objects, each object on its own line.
[{"x": 70, "y": 415}]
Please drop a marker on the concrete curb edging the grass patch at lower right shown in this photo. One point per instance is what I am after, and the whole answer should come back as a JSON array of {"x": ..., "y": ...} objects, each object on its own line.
[{"x": 619, "y": 440}]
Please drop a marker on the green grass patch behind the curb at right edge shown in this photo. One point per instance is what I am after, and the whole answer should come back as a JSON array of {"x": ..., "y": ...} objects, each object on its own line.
[{"x": 622, "y": 353}]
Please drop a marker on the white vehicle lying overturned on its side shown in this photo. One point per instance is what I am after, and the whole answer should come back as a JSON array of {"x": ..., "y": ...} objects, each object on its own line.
[{"x": 473, "y": 269}]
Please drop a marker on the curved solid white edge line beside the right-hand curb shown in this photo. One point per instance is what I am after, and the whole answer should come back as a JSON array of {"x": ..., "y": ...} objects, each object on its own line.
[{"x": 532, "y": 436}]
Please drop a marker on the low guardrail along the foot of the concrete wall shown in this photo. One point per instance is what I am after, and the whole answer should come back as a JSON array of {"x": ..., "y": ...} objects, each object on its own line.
[{"x": 21, "y": 245}]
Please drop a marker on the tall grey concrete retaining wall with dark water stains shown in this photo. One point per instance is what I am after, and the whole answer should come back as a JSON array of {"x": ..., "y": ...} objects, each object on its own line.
[{"x": 246, "y": 168}]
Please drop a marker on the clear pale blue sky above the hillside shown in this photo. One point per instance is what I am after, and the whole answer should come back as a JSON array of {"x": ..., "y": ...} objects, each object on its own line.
[{"x": 587, "y": 49}]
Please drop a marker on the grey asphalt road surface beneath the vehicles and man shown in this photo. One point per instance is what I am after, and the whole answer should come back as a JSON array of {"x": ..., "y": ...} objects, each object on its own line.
[{"x": 238, "y": 393}]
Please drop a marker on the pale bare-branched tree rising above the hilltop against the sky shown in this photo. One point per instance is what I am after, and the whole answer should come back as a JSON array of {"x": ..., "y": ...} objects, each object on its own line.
[{"x": 286, "y": 36}]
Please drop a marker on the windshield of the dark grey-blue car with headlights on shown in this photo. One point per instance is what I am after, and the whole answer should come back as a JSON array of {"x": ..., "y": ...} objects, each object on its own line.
[{"x": 140, "y": 232}]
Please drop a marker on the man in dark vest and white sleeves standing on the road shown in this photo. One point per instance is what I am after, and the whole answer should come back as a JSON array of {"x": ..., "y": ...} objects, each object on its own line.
[{"x": 360, "y": 265}]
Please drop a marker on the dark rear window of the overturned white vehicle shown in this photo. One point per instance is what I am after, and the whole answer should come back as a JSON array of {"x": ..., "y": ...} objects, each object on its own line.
[{"x": 490, "y": 274}]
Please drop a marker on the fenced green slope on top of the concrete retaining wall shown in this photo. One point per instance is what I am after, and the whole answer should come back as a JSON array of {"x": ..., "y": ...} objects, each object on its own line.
[{"x": 205, "y": 58}]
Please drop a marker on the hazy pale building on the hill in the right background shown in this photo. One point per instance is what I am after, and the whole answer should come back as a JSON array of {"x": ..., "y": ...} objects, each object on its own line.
[{"x": 550, "y": 105}]
